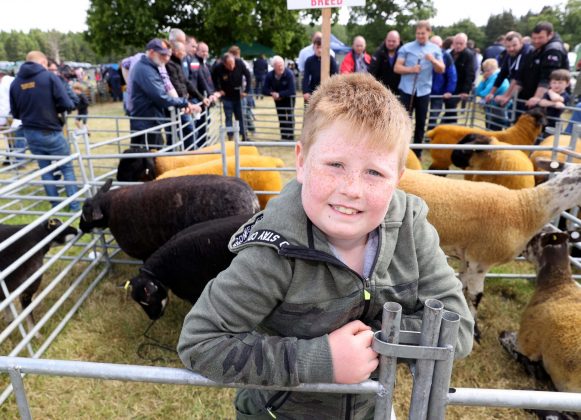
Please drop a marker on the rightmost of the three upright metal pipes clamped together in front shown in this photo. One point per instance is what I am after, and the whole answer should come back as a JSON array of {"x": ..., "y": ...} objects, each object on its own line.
[{"x": 443, "y": 369}]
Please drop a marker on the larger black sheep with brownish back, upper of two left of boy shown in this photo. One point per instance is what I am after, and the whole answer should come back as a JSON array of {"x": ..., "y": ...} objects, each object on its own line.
[{"x": 143, "y": 217}]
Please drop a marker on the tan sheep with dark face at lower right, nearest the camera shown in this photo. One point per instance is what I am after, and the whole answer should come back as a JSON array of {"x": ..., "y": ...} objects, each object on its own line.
[{"x": 550, "y": 328}]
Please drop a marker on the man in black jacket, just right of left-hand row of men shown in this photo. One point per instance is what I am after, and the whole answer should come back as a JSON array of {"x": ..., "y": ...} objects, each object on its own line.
[{"x": 228, "y": 76}]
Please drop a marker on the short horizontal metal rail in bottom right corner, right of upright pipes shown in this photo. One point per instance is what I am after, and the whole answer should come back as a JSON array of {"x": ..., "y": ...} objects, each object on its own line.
[{"x": 539, "y": 400}]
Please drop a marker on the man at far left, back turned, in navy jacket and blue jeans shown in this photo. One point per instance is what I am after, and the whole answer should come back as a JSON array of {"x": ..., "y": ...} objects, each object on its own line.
[{"x": 37, "y": 97}]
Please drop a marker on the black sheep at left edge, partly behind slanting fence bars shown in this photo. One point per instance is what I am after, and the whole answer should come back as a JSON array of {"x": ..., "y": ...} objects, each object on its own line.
[{"x": 22, "y": 246}]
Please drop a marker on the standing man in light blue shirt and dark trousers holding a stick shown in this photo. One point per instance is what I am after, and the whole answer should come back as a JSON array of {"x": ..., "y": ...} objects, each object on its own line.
[{"x": 415, "y": 62}]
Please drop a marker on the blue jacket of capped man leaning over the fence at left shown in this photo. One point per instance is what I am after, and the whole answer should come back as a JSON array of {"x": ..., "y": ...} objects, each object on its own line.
[{"x": 148, "y": 93}]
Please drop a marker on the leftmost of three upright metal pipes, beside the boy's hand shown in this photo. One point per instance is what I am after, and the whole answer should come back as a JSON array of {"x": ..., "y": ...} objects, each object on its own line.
[{"x": 390, "y": 328}]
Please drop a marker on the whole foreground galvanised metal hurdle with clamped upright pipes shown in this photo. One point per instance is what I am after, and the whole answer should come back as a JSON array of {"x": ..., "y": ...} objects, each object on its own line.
[{"x": 432, "y": 348}]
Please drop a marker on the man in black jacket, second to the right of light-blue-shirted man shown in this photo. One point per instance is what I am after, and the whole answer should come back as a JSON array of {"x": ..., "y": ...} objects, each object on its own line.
[{"x": 464, "y": 63}]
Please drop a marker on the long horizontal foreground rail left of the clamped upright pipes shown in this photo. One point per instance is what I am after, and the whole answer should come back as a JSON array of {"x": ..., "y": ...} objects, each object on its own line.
[{"x": 160, "y": 375}]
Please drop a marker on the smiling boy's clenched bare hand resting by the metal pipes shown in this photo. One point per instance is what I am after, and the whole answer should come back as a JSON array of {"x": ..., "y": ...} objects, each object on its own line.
[{"x": 353, "y": 358}]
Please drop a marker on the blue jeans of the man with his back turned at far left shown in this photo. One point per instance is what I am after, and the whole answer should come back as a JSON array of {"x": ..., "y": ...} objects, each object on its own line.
[{"x": 51, "y": 143}]
